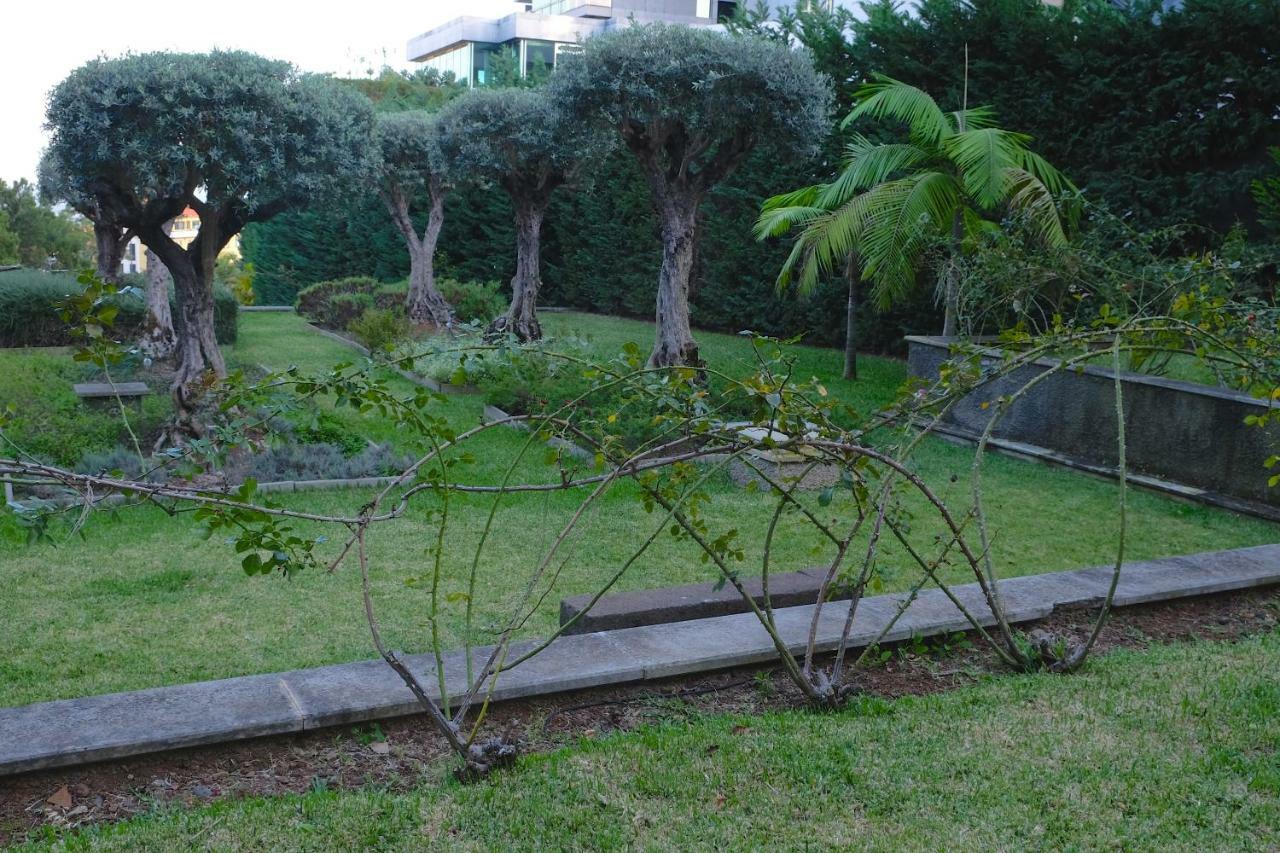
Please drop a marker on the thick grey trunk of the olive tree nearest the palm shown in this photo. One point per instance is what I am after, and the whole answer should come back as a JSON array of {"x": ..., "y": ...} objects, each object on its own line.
[{"x": 675, "y": 341}]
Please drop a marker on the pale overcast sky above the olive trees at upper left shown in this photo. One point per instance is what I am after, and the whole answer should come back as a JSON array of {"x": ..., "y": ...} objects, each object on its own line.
[{"x": 44, "y": 42}]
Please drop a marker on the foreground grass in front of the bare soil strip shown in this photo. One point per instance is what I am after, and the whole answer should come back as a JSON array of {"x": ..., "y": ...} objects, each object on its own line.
[{"x": 1164, "y": 749}]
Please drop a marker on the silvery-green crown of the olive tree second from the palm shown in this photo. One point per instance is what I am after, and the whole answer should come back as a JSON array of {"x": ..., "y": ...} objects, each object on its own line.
[{"x": 520, "y": 139}]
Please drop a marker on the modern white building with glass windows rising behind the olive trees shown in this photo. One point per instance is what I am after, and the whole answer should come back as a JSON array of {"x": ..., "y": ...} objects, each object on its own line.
[{"x": 541, "y": 31}]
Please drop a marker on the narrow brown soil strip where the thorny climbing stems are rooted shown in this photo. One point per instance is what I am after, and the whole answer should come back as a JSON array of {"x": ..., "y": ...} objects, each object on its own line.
[{"x": 401, "y": 754}]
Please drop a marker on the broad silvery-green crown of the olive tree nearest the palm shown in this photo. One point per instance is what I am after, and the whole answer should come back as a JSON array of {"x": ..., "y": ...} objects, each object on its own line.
[{"x": 696, "y": 98}]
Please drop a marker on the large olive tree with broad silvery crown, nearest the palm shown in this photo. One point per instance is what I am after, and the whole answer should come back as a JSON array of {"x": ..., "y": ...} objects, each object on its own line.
[{"x": 692, "y": 104}]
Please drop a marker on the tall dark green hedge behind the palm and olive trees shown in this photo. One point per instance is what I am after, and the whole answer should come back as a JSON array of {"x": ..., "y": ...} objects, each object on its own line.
[{"x": 1163, "y": 115}]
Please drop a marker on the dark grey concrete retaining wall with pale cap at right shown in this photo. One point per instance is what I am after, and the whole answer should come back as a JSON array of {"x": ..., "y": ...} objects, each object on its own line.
[{"x": 1182, "y": 432}]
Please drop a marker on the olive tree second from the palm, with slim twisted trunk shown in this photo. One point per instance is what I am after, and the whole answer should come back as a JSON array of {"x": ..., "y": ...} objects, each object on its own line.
[{"x": 523, "y": 142}]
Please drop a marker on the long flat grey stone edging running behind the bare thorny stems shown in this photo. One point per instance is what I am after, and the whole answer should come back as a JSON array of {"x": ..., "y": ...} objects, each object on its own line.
[{"x": 75, "y": 732}]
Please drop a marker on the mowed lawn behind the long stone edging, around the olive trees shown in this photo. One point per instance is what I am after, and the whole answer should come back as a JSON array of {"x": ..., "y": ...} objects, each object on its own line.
[{"x": 144, "y": 600}]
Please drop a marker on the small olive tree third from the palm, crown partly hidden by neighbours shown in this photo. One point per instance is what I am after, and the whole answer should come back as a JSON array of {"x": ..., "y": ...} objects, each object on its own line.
[{"x": 412, "y": 168}]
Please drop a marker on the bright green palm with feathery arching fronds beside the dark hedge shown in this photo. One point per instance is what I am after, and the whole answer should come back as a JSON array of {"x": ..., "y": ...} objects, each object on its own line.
[{"x": 895, "y": 200}]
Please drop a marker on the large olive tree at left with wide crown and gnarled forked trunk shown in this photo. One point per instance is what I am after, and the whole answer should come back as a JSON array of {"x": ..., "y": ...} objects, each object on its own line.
[{"x": 235, "y": 136}]
